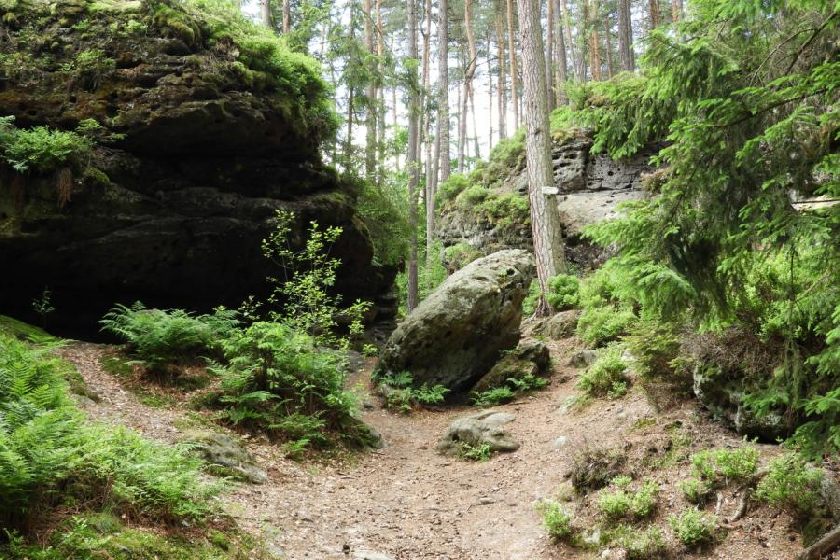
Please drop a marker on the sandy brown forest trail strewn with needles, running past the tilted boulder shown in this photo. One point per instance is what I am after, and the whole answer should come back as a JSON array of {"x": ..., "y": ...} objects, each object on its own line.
[{"x": 405, "y": 501}]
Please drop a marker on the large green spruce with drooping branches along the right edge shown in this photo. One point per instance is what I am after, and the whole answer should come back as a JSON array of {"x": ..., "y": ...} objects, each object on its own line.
[{"x": 749, "y": 124}]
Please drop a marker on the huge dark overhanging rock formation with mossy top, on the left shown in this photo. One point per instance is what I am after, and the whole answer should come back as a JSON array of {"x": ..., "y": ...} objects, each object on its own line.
[{"x": 200, "y": 142}]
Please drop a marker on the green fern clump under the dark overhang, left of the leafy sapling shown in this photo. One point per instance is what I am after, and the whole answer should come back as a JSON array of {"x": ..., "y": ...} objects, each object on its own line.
[{"x": 160, "y": 338}]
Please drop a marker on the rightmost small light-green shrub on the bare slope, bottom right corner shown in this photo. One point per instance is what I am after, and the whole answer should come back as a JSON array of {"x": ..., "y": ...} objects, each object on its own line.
[{"x": 791, "y": 484}]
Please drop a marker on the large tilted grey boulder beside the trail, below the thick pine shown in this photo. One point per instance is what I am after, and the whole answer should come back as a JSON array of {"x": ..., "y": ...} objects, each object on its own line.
[{"x": 459, "y": 332}]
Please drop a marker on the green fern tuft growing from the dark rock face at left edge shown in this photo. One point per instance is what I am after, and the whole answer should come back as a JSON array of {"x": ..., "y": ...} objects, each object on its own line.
[{"x": 40, "y": 148}]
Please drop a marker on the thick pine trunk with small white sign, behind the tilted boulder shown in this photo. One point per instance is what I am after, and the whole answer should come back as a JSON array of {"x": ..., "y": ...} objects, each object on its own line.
[{"x": 545, "y": 222}]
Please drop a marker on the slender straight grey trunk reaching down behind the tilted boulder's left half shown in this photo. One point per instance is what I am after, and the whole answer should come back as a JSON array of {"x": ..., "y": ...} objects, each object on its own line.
[{"x": 413, "y": 156}]
